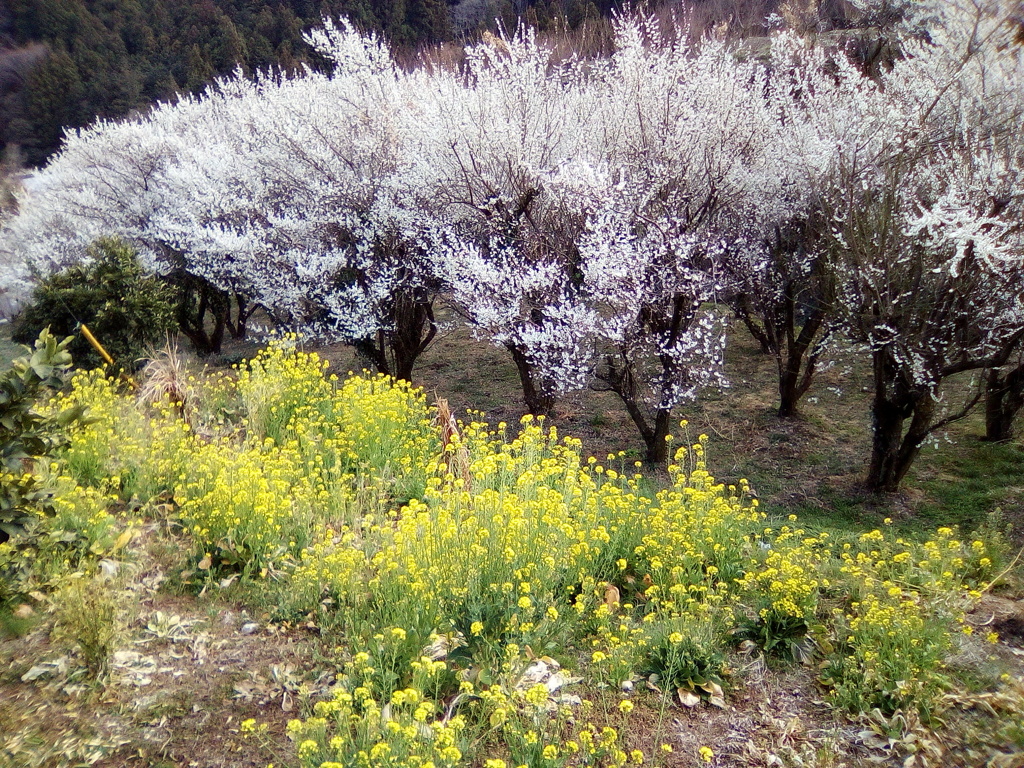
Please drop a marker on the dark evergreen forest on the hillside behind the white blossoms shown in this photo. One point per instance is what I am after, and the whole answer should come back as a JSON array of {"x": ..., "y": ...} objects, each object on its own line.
[{"x": 65, "y": 63}]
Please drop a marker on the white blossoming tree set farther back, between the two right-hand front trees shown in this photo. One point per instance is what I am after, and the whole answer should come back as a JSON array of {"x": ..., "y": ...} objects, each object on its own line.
[{"x": 781, "y": 283}]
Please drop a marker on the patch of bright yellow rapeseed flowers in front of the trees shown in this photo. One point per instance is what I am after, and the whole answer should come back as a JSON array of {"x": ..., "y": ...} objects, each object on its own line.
[{"x": 498, "y": 600}]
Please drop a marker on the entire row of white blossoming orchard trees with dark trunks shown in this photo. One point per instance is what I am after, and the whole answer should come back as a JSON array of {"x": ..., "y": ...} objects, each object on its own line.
[{"x": 603, "y": 219}]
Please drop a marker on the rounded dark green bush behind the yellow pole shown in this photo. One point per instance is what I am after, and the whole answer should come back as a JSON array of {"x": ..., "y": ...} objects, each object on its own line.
[{"x": 125, "y": 309}]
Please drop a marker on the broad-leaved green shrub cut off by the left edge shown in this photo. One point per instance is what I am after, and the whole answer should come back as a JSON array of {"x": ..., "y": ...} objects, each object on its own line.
[{"x": 27, "y": 435}]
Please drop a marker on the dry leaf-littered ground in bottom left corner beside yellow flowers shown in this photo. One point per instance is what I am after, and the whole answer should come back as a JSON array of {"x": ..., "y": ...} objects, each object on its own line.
[{"x": 175, "y": 700}]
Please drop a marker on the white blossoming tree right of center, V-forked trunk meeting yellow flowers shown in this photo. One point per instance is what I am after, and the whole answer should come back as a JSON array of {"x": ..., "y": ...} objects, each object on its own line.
[{"x": 687, "y": 139}]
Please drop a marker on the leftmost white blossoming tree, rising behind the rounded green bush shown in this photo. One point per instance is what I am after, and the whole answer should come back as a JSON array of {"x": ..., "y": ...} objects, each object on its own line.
[{"x": 112, "y": 179}]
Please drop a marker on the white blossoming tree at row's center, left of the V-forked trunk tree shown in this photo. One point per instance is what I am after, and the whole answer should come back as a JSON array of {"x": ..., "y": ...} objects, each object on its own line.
[{"x": 509, "y": 151}]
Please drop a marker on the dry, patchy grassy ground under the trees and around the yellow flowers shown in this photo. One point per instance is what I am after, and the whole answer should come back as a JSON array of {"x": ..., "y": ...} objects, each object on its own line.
[{"x": 192, "y": 665}]
